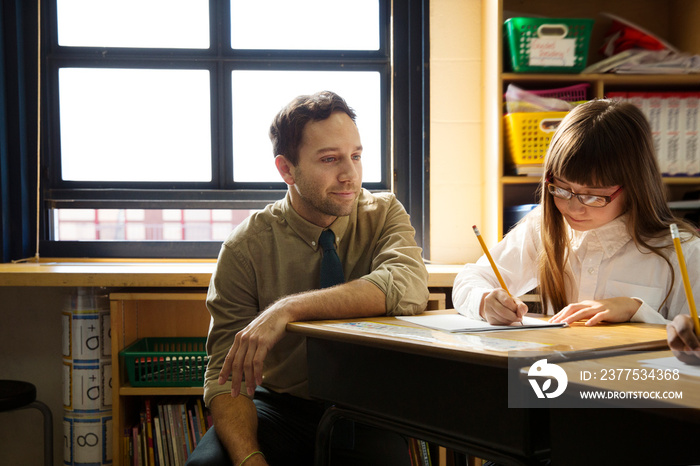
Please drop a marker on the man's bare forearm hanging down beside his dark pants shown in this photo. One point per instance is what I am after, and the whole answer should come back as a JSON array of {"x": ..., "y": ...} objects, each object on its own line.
[{"x": 236, "y": 423}]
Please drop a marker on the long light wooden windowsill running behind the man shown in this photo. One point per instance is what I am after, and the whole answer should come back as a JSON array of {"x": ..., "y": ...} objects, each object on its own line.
[{"x": 142, "y": 273}]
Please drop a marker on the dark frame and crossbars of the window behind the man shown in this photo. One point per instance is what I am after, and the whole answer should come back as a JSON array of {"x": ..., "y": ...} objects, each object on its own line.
[{"x": 407, "y": 172}]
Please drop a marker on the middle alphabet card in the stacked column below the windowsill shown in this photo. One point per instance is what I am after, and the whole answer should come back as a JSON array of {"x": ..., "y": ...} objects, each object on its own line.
[{"x": 87, "y": 387}]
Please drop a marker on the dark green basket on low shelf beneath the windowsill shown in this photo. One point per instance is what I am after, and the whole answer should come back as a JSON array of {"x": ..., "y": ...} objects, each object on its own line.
[{"x": 166, "y": 362}]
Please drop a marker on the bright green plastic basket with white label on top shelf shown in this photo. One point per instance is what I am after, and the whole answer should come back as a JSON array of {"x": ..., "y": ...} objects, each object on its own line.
[{"x": 548, "y": 45}]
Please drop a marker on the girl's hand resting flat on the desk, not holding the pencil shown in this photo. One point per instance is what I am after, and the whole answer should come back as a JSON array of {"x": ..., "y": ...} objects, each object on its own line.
[{"x": 603, "y": 310}]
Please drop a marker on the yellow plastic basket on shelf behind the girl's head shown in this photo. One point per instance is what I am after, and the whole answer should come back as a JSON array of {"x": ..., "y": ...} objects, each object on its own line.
[{"x": 528, "y": 135}]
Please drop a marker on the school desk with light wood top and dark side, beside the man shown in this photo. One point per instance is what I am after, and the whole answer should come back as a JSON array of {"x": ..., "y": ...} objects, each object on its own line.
[{"x": 446, "y": 388}]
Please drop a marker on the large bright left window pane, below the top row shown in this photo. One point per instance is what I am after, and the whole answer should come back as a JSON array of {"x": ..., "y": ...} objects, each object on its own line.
[{"x": 135, "y": 125}]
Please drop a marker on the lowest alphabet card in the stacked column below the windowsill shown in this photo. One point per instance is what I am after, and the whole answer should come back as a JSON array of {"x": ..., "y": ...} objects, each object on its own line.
[{"x": 87, "y": 439}]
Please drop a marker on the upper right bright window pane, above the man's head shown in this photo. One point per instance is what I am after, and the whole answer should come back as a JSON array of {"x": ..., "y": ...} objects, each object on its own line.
[{"x": 305, "y": 24}]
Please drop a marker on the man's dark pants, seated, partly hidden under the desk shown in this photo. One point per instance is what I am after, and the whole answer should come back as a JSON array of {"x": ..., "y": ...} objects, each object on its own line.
[{"x": 287, "y": 432}]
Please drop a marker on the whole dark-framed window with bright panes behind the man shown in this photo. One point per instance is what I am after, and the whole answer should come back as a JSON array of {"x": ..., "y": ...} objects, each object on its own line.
[{"x": 158, "y": 112}]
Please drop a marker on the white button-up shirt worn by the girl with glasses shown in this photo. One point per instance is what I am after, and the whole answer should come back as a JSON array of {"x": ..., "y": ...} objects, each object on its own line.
[{"x": 604, "y": 263}]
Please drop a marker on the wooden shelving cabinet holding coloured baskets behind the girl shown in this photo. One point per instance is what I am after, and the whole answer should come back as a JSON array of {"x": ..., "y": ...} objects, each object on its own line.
[{"x": 670, "y": 20}]
